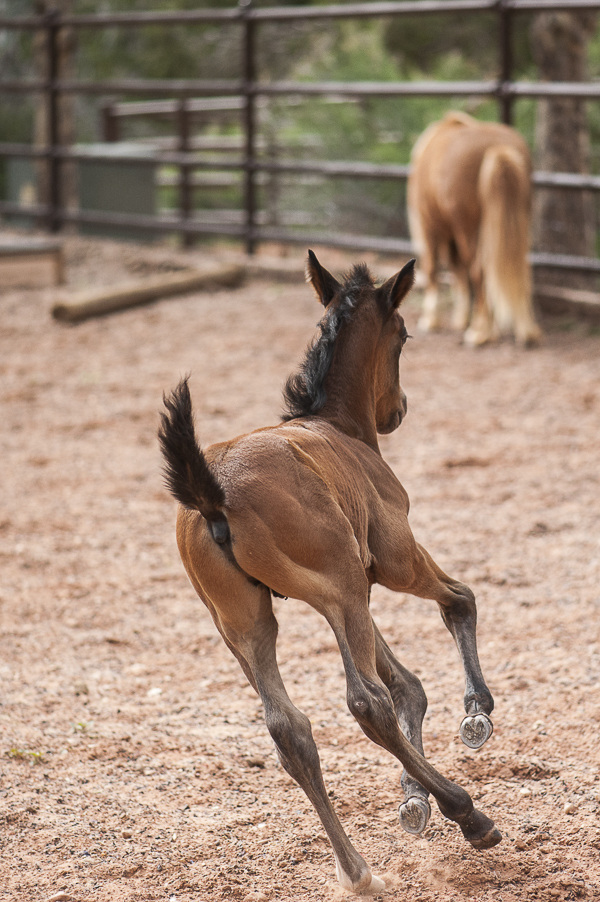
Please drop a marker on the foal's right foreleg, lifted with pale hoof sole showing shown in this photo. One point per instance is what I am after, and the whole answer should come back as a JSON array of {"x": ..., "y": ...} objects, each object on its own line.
[{"x": 459, "y": 613}]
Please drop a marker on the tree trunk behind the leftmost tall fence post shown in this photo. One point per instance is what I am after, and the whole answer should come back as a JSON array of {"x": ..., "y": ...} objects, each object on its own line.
[{"x": 66, "y": 107}]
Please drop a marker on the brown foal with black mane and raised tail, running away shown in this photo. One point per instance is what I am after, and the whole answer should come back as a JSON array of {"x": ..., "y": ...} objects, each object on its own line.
[{"x": 308, "y": 509}]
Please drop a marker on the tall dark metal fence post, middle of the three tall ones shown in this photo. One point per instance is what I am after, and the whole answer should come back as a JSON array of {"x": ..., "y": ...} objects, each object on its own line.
[{"x": 249, "y": 76}]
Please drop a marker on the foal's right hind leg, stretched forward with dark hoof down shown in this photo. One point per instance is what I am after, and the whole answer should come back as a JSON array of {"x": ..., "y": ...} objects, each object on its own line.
[{"x": 371, "y": 705}]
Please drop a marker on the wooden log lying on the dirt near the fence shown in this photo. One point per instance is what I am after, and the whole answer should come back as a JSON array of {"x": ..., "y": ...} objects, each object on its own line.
[{"x": 133, "y": 294}]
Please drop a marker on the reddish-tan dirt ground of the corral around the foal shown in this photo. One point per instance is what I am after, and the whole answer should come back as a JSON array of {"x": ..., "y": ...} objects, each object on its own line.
[{"x": 134, "y": 760}]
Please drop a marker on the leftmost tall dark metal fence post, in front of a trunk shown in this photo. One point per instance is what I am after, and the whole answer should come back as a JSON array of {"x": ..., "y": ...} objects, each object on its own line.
[{"x": 54, "y": 163}]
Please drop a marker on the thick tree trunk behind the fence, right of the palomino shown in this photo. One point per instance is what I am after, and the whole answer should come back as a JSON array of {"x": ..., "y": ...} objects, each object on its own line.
[{"x": 564, "y": 220}]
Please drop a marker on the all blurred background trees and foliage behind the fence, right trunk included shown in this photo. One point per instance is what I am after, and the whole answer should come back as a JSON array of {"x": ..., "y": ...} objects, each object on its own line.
[{"x": 376, "y": 130}]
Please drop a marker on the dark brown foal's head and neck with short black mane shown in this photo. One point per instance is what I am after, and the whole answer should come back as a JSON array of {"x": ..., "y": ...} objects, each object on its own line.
[{"x": 354, "y": 364}]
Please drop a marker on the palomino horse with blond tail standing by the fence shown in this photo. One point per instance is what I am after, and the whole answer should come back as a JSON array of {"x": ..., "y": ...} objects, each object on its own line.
[{"x": 469, "y": 199}]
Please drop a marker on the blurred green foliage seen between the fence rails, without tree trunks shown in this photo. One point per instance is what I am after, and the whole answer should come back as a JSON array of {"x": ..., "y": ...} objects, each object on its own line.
[{"x": 379, "y": 130}]
